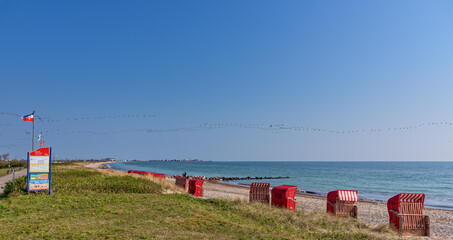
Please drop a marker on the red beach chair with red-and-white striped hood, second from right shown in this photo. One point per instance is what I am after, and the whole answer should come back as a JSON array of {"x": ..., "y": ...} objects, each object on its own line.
[{"x": 342, "y": 203}]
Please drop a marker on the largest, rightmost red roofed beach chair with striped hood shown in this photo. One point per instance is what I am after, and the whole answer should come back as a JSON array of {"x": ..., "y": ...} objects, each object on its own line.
[{"x": 406, "y": 214}]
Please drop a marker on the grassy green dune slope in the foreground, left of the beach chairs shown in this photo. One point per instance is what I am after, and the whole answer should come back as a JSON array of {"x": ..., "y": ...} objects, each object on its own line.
[{"x": 89, "y": 205}]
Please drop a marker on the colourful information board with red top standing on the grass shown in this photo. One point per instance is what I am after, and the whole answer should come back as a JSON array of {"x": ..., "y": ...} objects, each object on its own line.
[{"x": 39, "y": 172}]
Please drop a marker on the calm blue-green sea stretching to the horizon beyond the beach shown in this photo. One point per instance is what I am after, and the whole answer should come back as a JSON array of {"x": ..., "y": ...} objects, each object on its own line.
[{"x": 374, "y": 180}]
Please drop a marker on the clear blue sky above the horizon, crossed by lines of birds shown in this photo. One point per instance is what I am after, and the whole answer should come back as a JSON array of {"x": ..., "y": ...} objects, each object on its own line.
[{"x": 232, "y": 80}]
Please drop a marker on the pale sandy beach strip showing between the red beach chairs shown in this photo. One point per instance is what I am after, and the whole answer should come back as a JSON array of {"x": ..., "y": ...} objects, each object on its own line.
[{"x": 370, "y": 212}]
